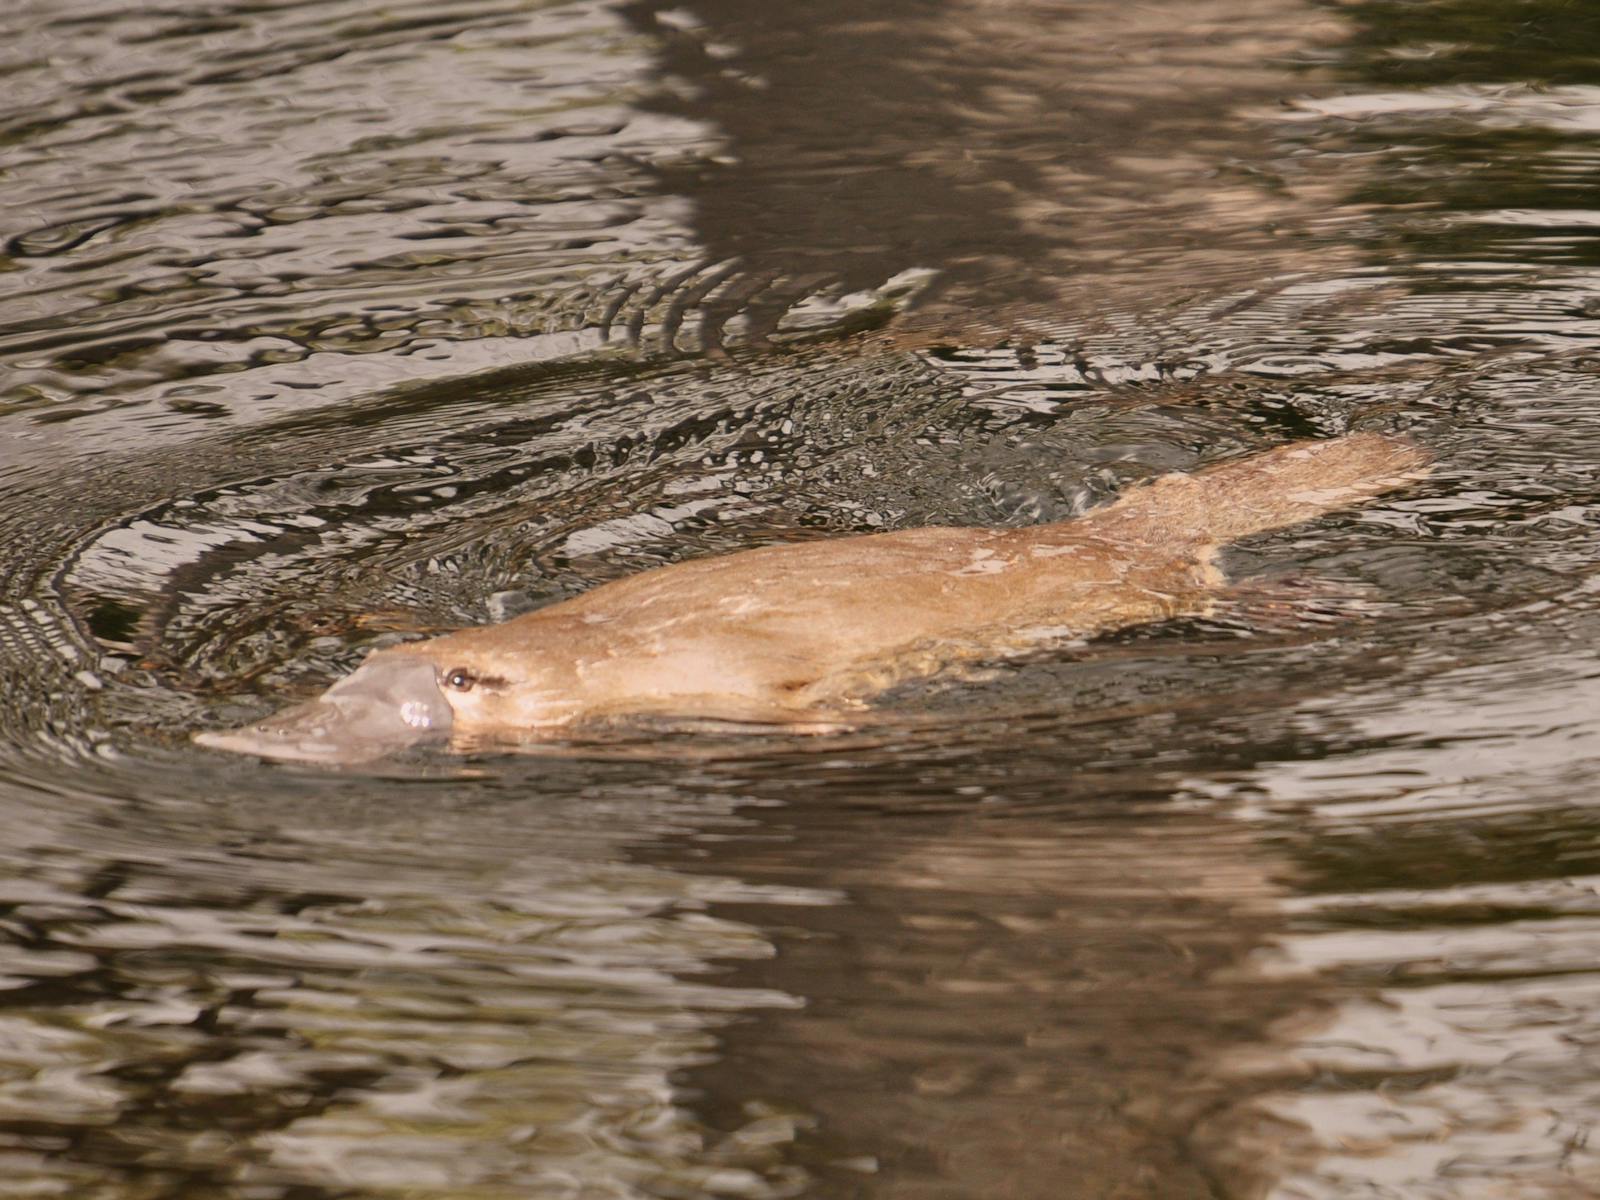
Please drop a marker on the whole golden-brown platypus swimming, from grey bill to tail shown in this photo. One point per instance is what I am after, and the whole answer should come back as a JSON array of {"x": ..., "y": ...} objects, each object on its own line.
[{"x": 801, "y": 633}]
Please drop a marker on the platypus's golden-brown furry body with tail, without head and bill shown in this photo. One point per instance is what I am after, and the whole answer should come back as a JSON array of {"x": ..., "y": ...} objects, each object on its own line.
[{"x": 818, "y": 622}]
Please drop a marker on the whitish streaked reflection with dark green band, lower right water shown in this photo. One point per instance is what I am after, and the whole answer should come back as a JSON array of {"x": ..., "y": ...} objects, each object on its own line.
[{"x": 1449, "y": 913}]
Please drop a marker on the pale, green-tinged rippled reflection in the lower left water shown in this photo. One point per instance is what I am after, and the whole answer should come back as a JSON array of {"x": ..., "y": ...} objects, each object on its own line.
[{"x": 366, "y": 991}]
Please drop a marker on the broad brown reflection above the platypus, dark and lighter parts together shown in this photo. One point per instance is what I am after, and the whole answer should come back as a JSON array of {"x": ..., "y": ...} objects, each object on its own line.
[{"x": 998, "y": 148}]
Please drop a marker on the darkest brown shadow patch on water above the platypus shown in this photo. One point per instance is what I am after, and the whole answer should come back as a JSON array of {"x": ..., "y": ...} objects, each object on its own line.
[{"x": 846, "y": 134}]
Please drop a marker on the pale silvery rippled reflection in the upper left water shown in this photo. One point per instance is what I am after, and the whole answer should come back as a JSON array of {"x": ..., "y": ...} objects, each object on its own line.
[{"x": 326, "y": 199}]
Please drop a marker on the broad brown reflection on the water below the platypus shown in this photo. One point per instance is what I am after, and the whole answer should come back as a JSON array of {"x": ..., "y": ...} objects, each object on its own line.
[{"x": 1036, "y": 972}]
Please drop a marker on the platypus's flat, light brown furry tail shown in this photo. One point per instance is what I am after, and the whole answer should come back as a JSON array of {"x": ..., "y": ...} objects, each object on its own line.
[{"x": 1268, "y": 492}]
